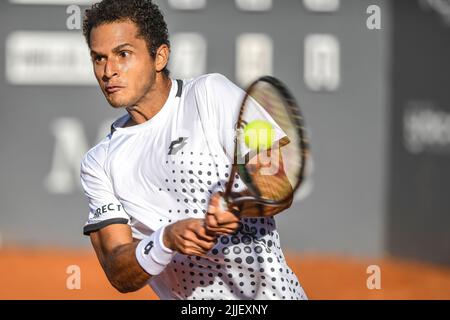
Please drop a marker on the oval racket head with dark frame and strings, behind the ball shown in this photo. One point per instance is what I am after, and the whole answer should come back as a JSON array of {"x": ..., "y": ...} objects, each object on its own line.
[{"x": 268, "y": 99}]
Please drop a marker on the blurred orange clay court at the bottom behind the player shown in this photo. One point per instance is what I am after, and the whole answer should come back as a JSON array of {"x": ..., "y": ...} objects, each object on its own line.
[{"x": 41, "y": 274}]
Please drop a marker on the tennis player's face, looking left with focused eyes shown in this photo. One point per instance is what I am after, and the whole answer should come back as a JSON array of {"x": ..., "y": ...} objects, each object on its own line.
[{"x": 122, "y": 63}]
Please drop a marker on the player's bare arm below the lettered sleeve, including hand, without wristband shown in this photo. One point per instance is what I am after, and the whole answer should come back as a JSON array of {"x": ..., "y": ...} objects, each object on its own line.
[{"x": 116, "y": 250}]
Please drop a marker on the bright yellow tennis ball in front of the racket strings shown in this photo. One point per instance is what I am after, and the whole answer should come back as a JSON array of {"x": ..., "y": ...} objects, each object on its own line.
[{"x": 259, "y": 134}]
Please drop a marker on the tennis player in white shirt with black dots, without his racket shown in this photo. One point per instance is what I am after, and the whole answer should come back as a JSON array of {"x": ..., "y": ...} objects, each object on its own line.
[{"x": 154, "y": 183}]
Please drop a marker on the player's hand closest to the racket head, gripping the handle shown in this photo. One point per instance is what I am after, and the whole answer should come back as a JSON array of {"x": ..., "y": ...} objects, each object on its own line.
[{"x": 220, "y": 221}]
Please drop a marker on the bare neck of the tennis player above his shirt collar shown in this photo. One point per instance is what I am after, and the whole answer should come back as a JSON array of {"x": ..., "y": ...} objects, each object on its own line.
[{"x": 150, "y": 104}]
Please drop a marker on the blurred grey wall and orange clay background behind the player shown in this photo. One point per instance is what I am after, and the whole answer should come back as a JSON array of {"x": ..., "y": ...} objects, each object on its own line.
[{"x": 372, "y": 78}]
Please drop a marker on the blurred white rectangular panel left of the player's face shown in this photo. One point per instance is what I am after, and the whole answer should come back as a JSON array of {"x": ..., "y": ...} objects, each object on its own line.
[{"x": 48, "y": 58}]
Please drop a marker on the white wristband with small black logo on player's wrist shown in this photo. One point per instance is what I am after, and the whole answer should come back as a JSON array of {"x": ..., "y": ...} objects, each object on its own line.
[{"x": 151, "y": 253}]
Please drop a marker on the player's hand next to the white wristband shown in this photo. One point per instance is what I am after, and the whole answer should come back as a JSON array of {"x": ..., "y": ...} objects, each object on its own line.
[{"x": 189, "y": 237}]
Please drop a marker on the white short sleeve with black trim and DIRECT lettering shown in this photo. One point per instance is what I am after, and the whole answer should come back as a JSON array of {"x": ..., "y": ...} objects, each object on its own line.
[{"x": 104, "y": 208}]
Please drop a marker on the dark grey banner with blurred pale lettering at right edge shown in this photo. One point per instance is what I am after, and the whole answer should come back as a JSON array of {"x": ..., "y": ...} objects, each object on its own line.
[{"x": 419, "y": 220}]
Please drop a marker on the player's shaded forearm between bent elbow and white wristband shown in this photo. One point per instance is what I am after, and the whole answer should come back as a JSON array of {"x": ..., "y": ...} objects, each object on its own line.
[{"x": 123, "y": 270}]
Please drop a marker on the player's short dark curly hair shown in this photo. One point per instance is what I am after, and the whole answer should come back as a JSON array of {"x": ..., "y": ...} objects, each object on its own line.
[{"x": 145, "y": 14}]
